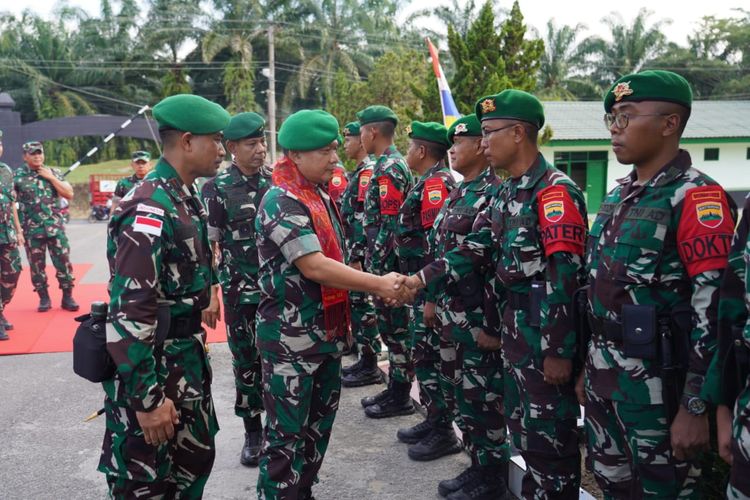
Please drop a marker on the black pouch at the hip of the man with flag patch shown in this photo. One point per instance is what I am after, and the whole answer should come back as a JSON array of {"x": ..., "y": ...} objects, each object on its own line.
[{"x": 90, "y": 357}]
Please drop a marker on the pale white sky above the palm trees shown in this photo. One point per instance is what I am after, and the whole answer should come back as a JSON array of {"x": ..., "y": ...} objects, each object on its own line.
[{"x": 685, "y": 14}]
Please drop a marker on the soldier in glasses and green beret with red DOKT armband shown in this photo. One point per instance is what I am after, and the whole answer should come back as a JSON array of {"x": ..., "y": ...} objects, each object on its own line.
[{"x": 655, "y": 257}]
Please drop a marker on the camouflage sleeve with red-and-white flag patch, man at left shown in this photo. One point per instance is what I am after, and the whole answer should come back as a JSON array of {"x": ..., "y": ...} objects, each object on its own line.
[{"x": 134, "y": 297}]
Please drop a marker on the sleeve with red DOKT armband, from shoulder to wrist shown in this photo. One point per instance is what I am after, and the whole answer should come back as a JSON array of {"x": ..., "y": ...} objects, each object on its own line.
[{"x": 706, "y": 275}]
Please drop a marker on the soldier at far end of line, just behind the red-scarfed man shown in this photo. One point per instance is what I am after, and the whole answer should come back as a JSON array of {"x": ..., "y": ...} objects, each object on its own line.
[{"x": 364, "y": 322}]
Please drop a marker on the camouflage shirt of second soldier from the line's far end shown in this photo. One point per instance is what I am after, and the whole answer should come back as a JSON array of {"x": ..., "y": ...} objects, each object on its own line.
[{"x": 390, "y": 182}]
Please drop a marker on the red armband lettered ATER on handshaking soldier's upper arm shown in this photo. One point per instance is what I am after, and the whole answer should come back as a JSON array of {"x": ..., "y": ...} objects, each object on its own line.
[{"x": 561, "y": 224}]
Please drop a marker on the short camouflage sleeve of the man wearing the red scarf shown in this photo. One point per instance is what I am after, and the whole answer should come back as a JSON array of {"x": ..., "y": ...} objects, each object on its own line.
[{"x": 286, "y": 222}]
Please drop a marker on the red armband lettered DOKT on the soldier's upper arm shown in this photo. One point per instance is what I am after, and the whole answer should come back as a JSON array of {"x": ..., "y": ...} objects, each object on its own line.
[{"x": 705, "y": 230}]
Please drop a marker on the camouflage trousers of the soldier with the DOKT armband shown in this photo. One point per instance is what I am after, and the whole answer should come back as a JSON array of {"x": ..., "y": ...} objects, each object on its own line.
[{"x": 630, "y": 452}]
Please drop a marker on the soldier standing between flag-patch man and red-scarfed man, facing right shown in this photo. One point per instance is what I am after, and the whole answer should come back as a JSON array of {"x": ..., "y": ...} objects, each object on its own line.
[{"x": 232, "y": 199}]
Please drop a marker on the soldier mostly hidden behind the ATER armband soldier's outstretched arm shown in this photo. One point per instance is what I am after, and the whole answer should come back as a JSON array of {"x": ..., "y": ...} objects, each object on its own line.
[{"x": 472, "y": 377}]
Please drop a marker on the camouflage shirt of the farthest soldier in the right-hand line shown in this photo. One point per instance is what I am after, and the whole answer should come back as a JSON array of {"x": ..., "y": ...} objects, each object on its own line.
[{"x": 353, "y": 209}]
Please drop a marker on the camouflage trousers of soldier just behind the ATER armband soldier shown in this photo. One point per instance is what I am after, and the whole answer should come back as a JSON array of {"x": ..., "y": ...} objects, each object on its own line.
[{"x": 479, "y": 400}]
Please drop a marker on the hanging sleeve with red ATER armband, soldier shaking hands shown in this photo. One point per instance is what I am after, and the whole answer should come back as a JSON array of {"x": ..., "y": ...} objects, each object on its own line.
[{"x": 563, "y": 242}]
